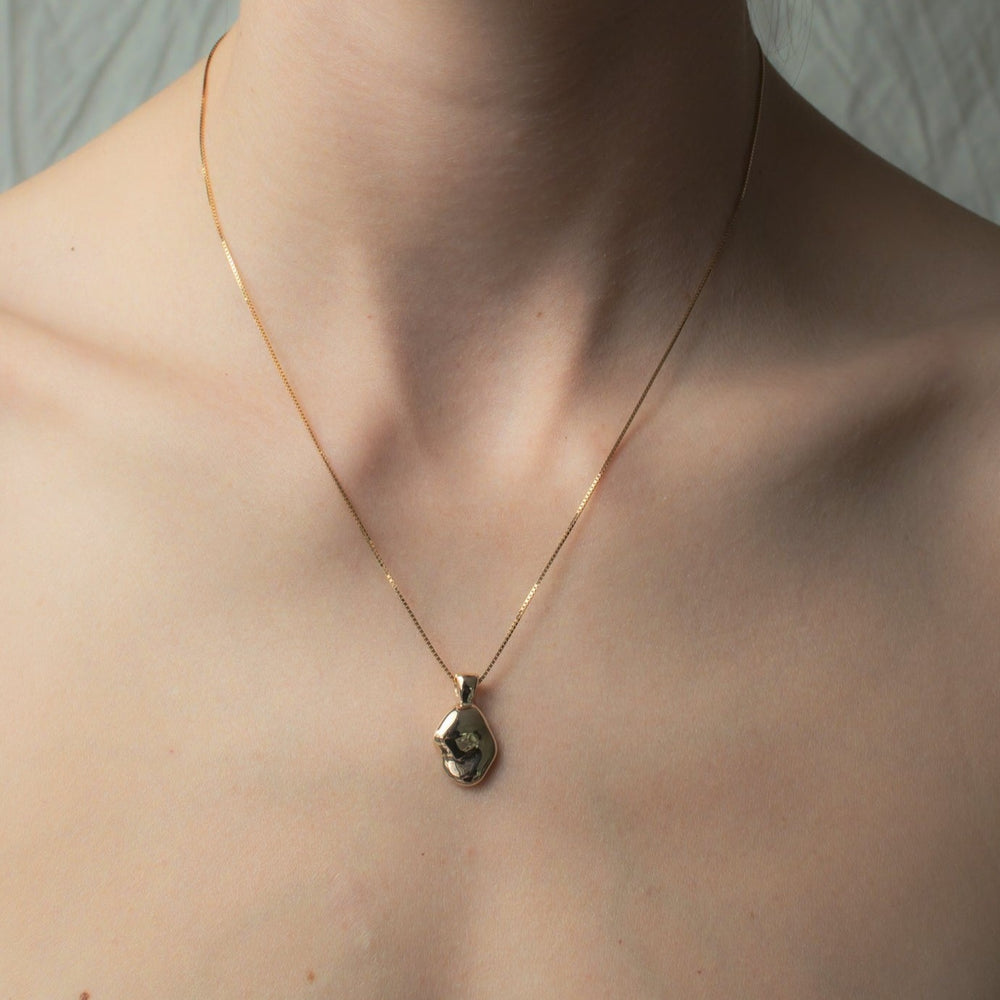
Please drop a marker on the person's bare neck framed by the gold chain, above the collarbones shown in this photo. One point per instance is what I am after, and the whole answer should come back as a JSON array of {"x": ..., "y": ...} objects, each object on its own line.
[{"x": 482, "y": 202}]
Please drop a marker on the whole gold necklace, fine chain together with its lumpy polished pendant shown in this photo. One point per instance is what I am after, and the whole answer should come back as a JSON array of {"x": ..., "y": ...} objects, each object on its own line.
[{"x": 465, "y": 739}]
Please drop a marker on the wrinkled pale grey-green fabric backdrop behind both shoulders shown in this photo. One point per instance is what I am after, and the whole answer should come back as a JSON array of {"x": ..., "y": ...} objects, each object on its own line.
[{"x": 918, "y": 81}]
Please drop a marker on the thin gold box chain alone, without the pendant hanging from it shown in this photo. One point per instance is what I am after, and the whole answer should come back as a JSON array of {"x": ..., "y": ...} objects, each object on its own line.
[{"x": 237, "y": 274}]
